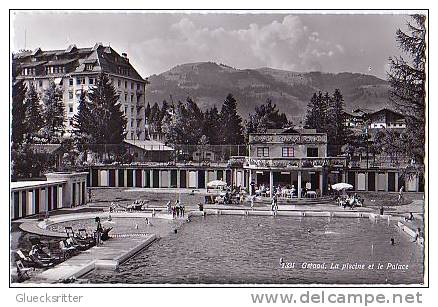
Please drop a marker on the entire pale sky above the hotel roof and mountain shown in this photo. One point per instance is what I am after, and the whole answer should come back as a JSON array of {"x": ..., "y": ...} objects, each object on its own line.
[{"x": 156, "y": 42}]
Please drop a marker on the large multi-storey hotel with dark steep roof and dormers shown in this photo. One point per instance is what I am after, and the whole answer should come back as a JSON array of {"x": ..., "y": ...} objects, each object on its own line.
[{"x": 76, "y": 69}]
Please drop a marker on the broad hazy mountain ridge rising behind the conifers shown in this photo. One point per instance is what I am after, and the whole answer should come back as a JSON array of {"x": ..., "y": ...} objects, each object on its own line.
[{"x": 209, "y": 83}]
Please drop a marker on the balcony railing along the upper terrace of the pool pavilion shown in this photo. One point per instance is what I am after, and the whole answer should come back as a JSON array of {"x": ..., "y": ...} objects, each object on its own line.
[{"x": 291, "y": 163}]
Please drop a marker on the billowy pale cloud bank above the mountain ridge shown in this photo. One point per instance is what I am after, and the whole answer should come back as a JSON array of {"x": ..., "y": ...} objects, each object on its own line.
[{"x": 286, "y": 44}]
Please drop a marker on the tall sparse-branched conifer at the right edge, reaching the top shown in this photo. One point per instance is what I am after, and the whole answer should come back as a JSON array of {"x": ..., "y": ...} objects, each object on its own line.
[{"x": 407, "y": 78}]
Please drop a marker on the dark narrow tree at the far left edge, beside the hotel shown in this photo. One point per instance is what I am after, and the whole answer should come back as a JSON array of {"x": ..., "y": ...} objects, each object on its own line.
[{"x": 18, "y": 113}]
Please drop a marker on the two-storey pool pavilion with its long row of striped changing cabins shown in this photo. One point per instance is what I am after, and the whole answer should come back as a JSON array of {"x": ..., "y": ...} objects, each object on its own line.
[{"x": 283, "y": 157}]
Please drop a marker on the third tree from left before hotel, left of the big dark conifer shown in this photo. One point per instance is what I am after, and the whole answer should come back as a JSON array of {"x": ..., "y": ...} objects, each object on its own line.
[{"x": 53, "y": 113}]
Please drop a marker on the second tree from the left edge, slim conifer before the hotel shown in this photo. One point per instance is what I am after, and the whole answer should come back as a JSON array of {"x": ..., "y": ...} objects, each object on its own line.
[{"x": 33, "y": 115}]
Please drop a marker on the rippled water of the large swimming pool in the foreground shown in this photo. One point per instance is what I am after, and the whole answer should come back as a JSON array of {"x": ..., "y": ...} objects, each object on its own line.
[{"x": 245, "y": 249}]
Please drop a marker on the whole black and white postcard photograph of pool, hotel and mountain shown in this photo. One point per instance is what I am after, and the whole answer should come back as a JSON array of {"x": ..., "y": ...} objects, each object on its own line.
[{"x": 227, "y": 148}]
